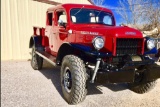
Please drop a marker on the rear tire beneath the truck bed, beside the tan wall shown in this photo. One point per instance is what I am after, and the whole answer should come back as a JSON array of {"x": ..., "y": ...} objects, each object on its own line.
[{"x": 36, "y": 61}]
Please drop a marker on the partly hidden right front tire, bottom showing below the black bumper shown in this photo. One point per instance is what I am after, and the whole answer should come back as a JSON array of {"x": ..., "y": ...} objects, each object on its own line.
[{"x": 142, "y": 87}]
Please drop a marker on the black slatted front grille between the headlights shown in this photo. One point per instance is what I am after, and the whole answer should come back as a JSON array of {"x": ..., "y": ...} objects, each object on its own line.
[{"x": 129, "y": 46}]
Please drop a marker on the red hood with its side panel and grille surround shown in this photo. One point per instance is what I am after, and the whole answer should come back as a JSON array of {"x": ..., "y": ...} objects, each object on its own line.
[{"x": 111, "y": 34}]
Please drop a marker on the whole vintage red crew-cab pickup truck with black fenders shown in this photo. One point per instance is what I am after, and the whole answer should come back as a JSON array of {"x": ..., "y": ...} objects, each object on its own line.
[{"x": 85, "y": 41}]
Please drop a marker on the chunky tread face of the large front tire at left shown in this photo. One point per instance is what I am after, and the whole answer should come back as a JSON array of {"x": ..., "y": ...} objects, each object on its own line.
[{"x": 79, "y": 84}]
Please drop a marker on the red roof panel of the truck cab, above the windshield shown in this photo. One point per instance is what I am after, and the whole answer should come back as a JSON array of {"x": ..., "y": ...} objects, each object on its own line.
[{"x": 70, "y": 6}]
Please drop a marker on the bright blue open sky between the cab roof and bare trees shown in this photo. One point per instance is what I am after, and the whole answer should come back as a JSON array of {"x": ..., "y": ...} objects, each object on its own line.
[{"x": 113, "y": 5}]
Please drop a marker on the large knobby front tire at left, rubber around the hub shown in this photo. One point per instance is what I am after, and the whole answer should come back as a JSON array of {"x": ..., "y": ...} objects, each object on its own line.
[{"x": 77, "y": 69}]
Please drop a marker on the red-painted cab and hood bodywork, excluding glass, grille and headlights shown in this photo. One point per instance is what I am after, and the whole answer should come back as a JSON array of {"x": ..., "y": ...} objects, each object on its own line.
[{"x": 54, "y": 36}]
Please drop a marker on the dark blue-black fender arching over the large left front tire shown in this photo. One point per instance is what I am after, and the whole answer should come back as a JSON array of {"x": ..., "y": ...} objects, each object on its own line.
[{"x": 84, "y": 51}]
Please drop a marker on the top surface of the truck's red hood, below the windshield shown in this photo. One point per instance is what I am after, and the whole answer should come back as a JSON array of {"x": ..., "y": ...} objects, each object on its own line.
[{"x": 109, "y": 31}]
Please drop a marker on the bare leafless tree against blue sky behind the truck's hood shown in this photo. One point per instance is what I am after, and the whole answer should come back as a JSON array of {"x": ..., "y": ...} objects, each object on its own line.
[{"x": 142, "y": 14}]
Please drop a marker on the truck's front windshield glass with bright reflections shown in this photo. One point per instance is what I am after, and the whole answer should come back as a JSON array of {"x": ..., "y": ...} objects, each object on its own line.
[{"x": 83, "y": 16}]
